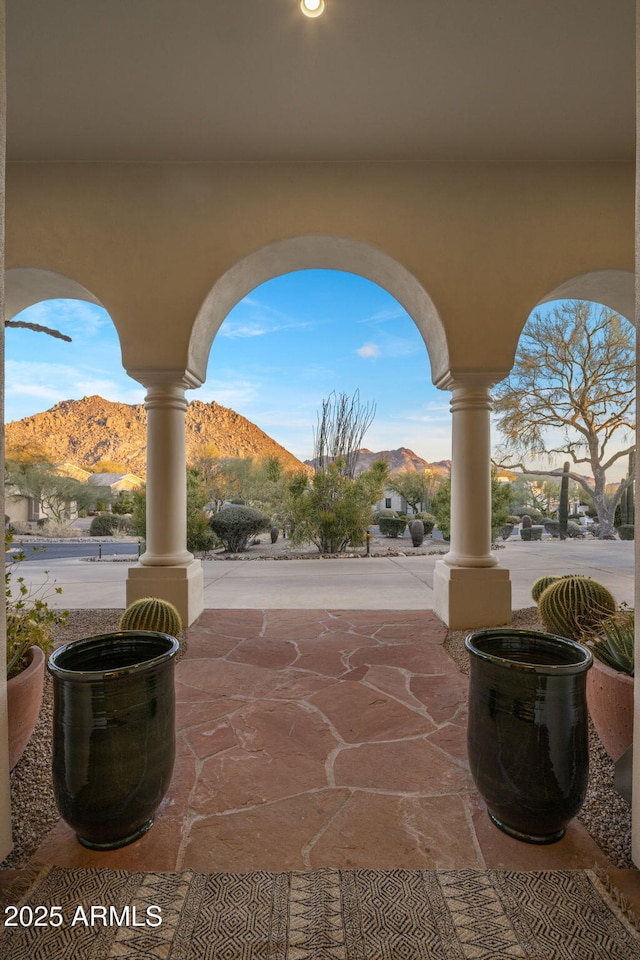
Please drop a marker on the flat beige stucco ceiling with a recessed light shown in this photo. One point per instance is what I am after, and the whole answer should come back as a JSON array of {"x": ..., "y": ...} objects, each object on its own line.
[{"x": 380, "y": 80}]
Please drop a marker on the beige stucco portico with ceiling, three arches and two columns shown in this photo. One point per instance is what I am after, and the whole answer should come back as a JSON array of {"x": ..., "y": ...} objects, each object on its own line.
[{"x": 476, "y": 160}]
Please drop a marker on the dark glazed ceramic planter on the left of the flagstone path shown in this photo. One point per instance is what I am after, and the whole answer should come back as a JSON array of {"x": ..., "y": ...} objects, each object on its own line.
[{"x": 113, "y": 733}]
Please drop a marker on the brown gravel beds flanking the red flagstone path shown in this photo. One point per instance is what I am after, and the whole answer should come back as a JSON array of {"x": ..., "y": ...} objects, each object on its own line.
[{"x": 605, "y": 814}]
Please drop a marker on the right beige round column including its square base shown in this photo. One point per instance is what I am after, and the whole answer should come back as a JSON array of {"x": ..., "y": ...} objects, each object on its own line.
[{"x": 470, "y": 589}]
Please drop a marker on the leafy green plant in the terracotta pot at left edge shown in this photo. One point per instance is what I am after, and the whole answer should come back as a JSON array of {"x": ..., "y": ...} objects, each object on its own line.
[{"x": 30, "y": 621}]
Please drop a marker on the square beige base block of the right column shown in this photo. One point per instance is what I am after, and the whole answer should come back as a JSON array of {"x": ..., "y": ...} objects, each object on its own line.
[{"x": 471, "y": 596}]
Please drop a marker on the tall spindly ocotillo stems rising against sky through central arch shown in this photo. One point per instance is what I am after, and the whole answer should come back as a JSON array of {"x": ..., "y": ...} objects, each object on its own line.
[{"x": 342, "y": 423}]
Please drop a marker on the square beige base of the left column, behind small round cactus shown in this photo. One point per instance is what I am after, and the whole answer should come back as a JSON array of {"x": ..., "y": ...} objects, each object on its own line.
[{"x": 181, "y": 584}]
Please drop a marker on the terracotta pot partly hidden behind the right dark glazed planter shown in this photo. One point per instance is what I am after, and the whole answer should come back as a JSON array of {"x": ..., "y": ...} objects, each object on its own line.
[{"x": 610, "y": 699}]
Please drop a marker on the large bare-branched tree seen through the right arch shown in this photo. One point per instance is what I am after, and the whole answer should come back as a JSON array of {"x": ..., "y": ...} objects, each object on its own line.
[{"x": 571, "y": 393}]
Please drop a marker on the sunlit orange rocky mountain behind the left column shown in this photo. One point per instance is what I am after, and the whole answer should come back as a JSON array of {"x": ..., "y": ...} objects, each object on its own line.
[{"x": 83, "y": 432}]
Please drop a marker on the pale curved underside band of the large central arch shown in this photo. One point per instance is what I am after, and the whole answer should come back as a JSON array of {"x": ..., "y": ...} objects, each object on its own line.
[{"x": 325, "y": 253}]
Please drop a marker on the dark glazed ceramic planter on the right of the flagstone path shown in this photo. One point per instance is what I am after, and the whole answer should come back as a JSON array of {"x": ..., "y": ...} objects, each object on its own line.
[{"x": 527, "y": 736}]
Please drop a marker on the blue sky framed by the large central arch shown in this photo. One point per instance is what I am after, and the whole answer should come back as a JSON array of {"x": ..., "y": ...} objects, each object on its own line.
[{"x": 298, "y": 337}]
